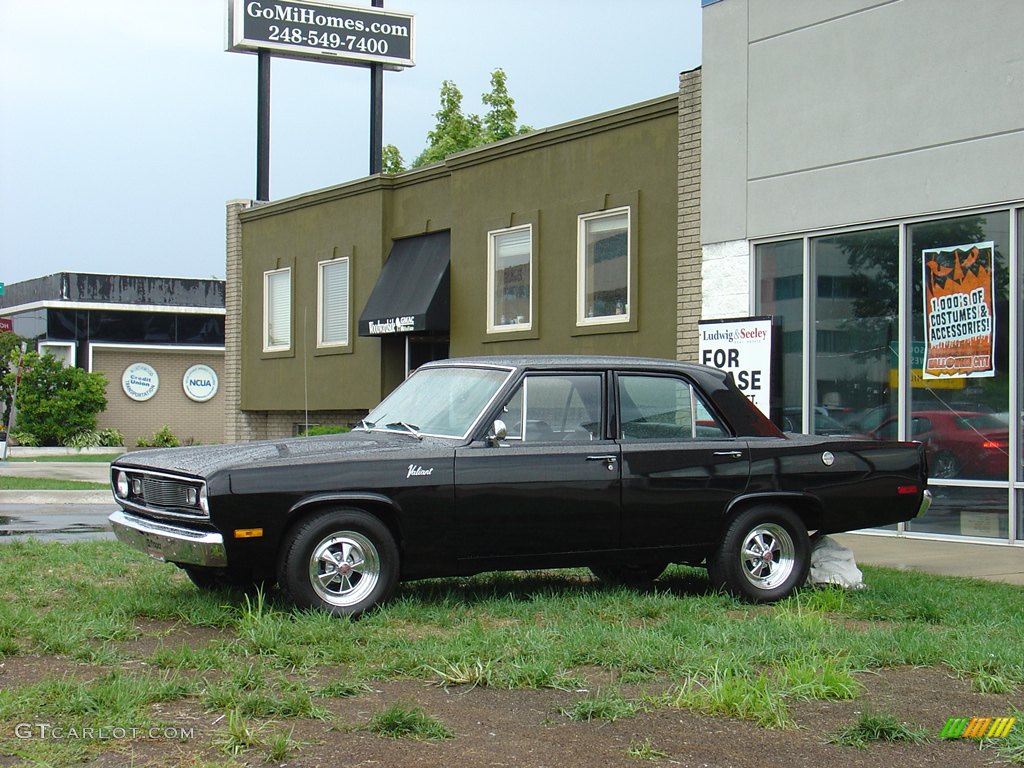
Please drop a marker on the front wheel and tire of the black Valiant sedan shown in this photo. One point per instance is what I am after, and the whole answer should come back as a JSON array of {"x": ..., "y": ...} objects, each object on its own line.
[{"x": 342, "y": 561}]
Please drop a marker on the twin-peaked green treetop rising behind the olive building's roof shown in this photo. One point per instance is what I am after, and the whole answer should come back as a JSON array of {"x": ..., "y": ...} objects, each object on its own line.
[{"x": 457, "y": 132}]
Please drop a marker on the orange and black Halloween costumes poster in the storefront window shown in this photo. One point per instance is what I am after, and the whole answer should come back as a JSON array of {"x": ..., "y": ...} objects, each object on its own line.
[{"x": 960, "y": 312}]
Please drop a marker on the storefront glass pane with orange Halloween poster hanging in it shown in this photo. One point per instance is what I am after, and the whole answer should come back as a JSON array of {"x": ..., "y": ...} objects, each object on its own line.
[{"x": 961, "y": 320}]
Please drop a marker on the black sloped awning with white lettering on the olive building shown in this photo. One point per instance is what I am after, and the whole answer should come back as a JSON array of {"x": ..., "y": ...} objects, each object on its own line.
[{"x": 413, "y": 292}]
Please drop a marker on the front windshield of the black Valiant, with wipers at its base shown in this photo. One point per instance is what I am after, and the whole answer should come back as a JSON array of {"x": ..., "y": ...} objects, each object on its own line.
[{"x": 438, "y": 402}]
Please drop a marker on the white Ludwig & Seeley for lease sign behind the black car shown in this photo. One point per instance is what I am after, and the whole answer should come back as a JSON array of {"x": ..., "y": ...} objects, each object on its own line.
[{"x": 742, "y": 347}]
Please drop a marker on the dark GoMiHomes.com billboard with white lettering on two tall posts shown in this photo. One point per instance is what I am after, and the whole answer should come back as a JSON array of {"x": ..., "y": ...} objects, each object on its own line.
[{"x": 321, "y": 31}]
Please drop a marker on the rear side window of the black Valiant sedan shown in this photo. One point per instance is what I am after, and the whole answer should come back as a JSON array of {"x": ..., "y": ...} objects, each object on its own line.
[{"x": 660, "y": 408}]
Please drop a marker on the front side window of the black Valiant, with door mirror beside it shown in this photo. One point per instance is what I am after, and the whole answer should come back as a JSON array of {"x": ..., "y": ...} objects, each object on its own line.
[{"x": 561, "y": 408}]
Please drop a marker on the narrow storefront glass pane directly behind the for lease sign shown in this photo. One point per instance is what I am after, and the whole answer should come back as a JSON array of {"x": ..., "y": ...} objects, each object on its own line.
[{"x": 781, "y": 294}]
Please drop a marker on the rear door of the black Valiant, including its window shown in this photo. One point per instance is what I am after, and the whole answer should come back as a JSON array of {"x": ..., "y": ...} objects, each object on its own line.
[{"x": 680, "y": 465}]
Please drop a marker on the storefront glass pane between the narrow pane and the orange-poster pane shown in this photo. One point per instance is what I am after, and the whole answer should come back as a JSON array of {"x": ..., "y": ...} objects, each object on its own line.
[{"x": 857, "y": 327}]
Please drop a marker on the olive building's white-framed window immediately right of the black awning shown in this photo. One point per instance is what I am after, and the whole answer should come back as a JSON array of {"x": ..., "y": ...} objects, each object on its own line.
[{"x": 510, "y": 280}]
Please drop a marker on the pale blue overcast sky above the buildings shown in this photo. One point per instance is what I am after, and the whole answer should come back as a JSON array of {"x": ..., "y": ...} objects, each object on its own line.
[{"x": 125, "y": 127}]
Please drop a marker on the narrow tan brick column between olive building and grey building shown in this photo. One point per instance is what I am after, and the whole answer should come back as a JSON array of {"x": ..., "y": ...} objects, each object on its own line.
[{"x": 689, "y": 304}]
